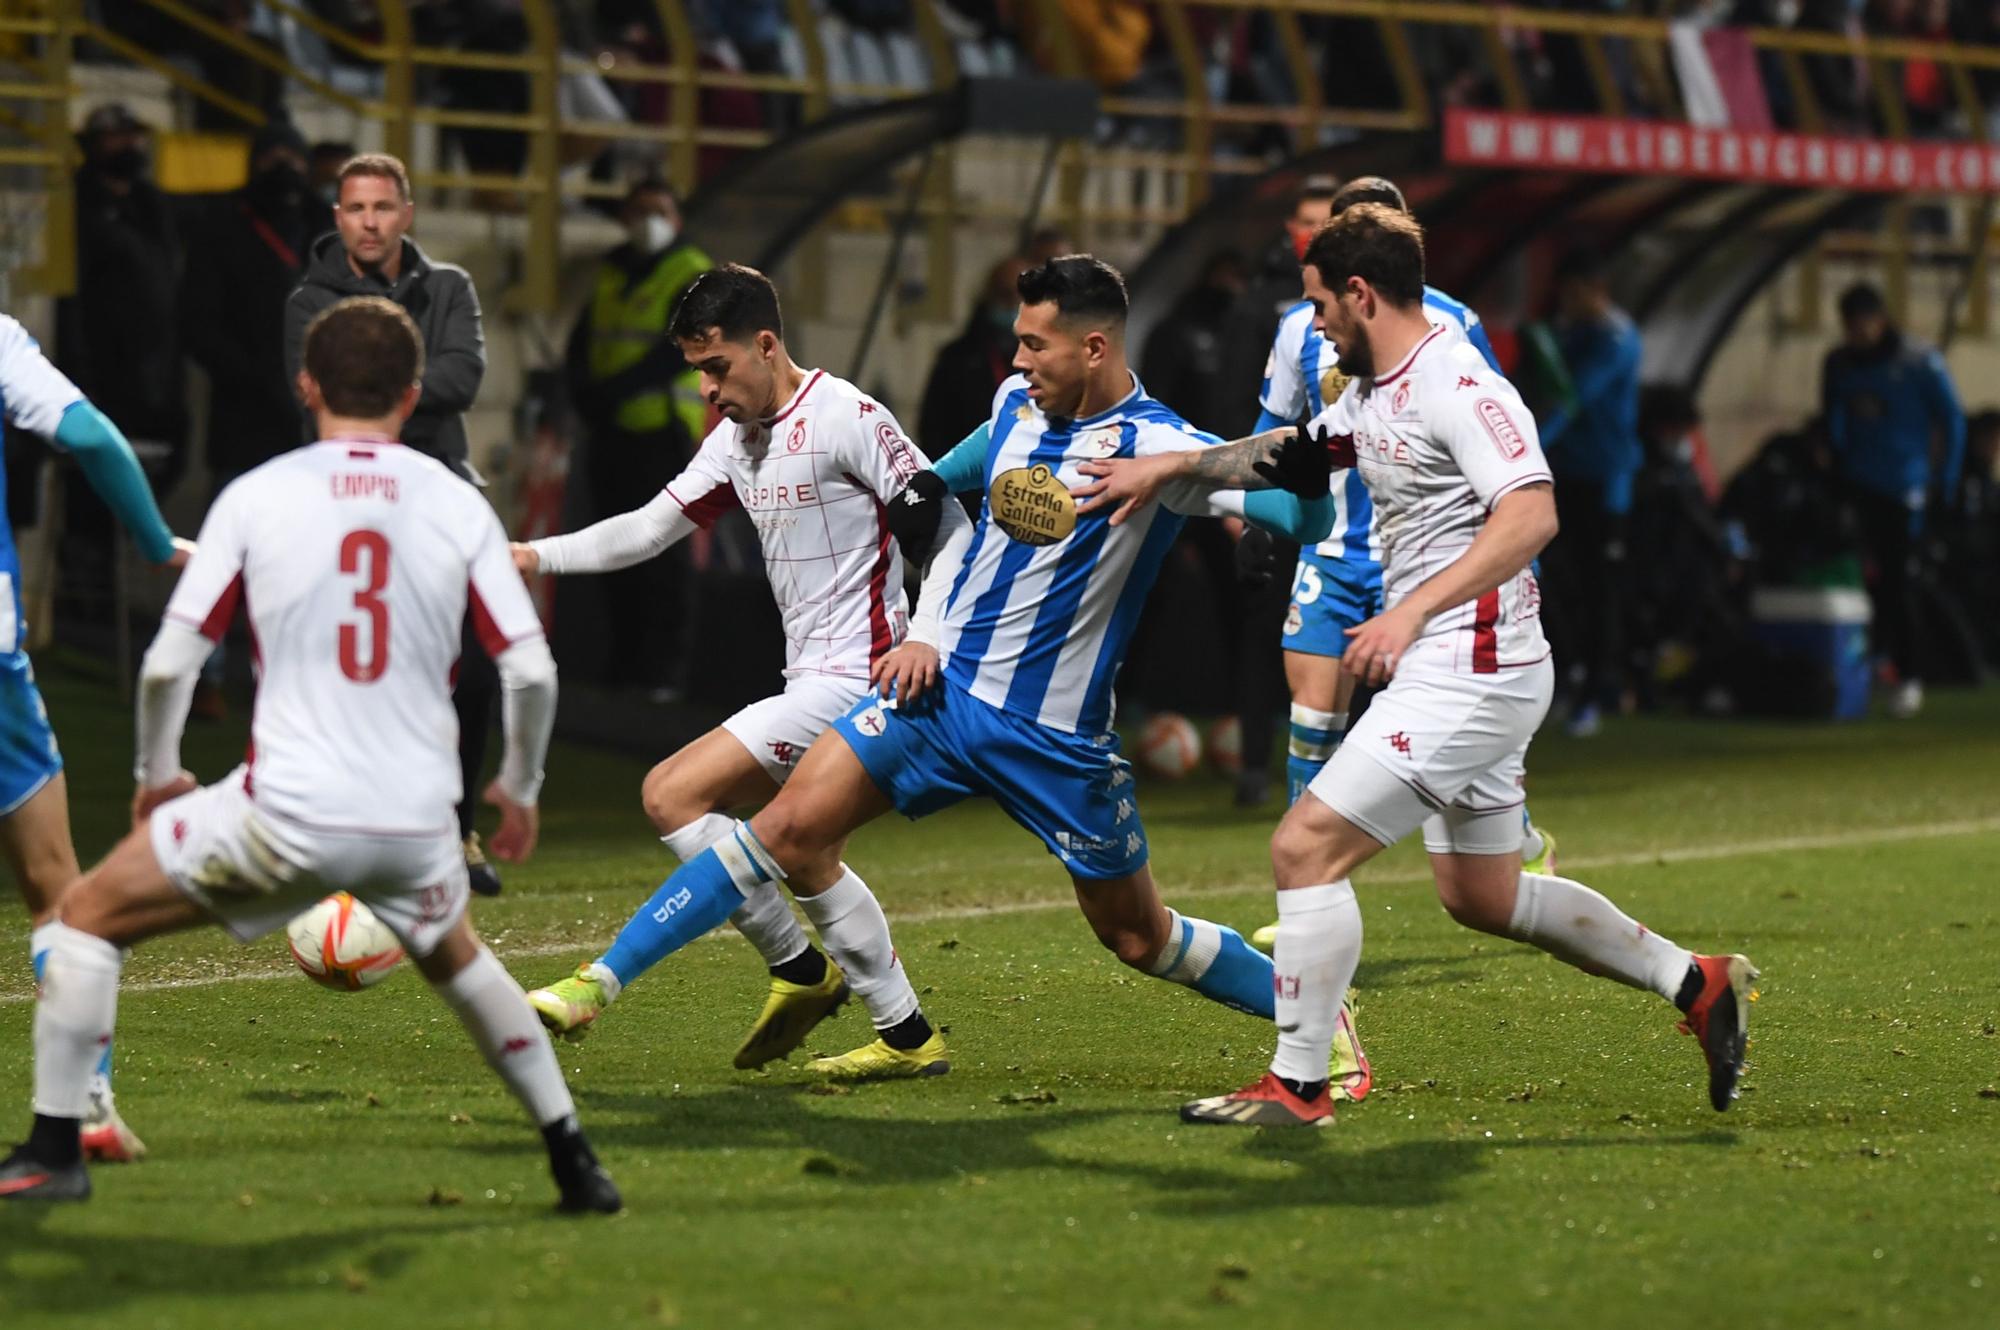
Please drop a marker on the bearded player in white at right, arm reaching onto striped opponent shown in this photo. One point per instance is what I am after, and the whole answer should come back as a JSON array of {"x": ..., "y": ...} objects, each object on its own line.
[{"x": 1465, "y": 503}]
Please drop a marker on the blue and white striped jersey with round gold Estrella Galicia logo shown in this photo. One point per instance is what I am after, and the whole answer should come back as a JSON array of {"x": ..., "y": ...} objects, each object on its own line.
[{"x": 1047, "y": 599}]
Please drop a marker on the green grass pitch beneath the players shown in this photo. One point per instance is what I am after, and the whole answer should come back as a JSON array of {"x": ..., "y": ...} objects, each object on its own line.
[{"x": 1539, "y": 1149}]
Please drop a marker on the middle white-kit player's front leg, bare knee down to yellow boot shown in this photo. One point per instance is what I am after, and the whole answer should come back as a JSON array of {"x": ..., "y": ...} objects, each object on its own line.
[{"x": 689, "y": 799}]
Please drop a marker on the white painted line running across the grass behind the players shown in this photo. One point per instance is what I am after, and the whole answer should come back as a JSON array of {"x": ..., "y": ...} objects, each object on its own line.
[{"x": 1781, "y": 845}]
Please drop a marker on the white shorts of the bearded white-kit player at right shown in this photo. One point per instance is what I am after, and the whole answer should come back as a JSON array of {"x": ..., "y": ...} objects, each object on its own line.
[{"x": 1445, "y": 753}]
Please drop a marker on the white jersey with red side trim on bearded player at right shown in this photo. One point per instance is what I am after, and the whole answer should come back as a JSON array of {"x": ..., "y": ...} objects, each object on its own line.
[{"x": 1441, "y": 439}]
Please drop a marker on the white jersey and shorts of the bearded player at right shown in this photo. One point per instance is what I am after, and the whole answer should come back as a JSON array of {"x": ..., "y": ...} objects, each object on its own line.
[{"x": 1443, "y": 439}]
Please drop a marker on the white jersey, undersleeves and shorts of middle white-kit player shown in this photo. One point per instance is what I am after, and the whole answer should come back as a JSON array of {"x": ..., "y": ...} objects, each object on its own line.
[{"x": 815, "y": 481}]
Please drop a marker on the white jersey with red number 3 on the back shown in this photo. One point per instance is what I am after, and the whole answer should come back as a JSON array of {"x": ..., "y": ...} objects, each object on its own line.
[{"x": 357, "y": 563}]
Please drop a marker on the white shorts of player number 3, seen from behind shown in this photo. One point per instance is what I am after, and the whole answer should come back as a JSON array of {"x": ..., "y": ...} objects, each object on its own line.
[{"x": 255, "y": 871}]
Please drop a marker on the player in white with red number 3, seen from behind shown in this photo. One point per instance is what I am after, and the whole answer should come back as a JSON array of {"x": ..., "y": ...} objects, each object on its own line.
[{"x": 357, "y": 561}]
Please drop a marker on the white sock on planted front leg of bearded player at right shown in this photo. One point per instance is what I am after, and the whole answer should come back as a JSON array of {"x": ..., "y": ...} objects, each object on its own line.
[{"x": 1315, "y": 959}]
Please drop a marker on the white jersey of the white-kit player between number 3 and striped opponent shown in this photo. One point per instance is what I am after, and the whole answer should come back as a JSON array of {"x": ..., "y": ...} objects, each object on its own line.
[{"x": 815, "y": 481}]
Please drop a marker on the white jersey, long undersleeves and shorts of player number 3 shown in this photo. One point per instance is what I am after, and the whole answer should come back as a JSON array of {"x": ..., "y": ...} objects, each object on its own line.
[{"x": 357, "y": 563}]
